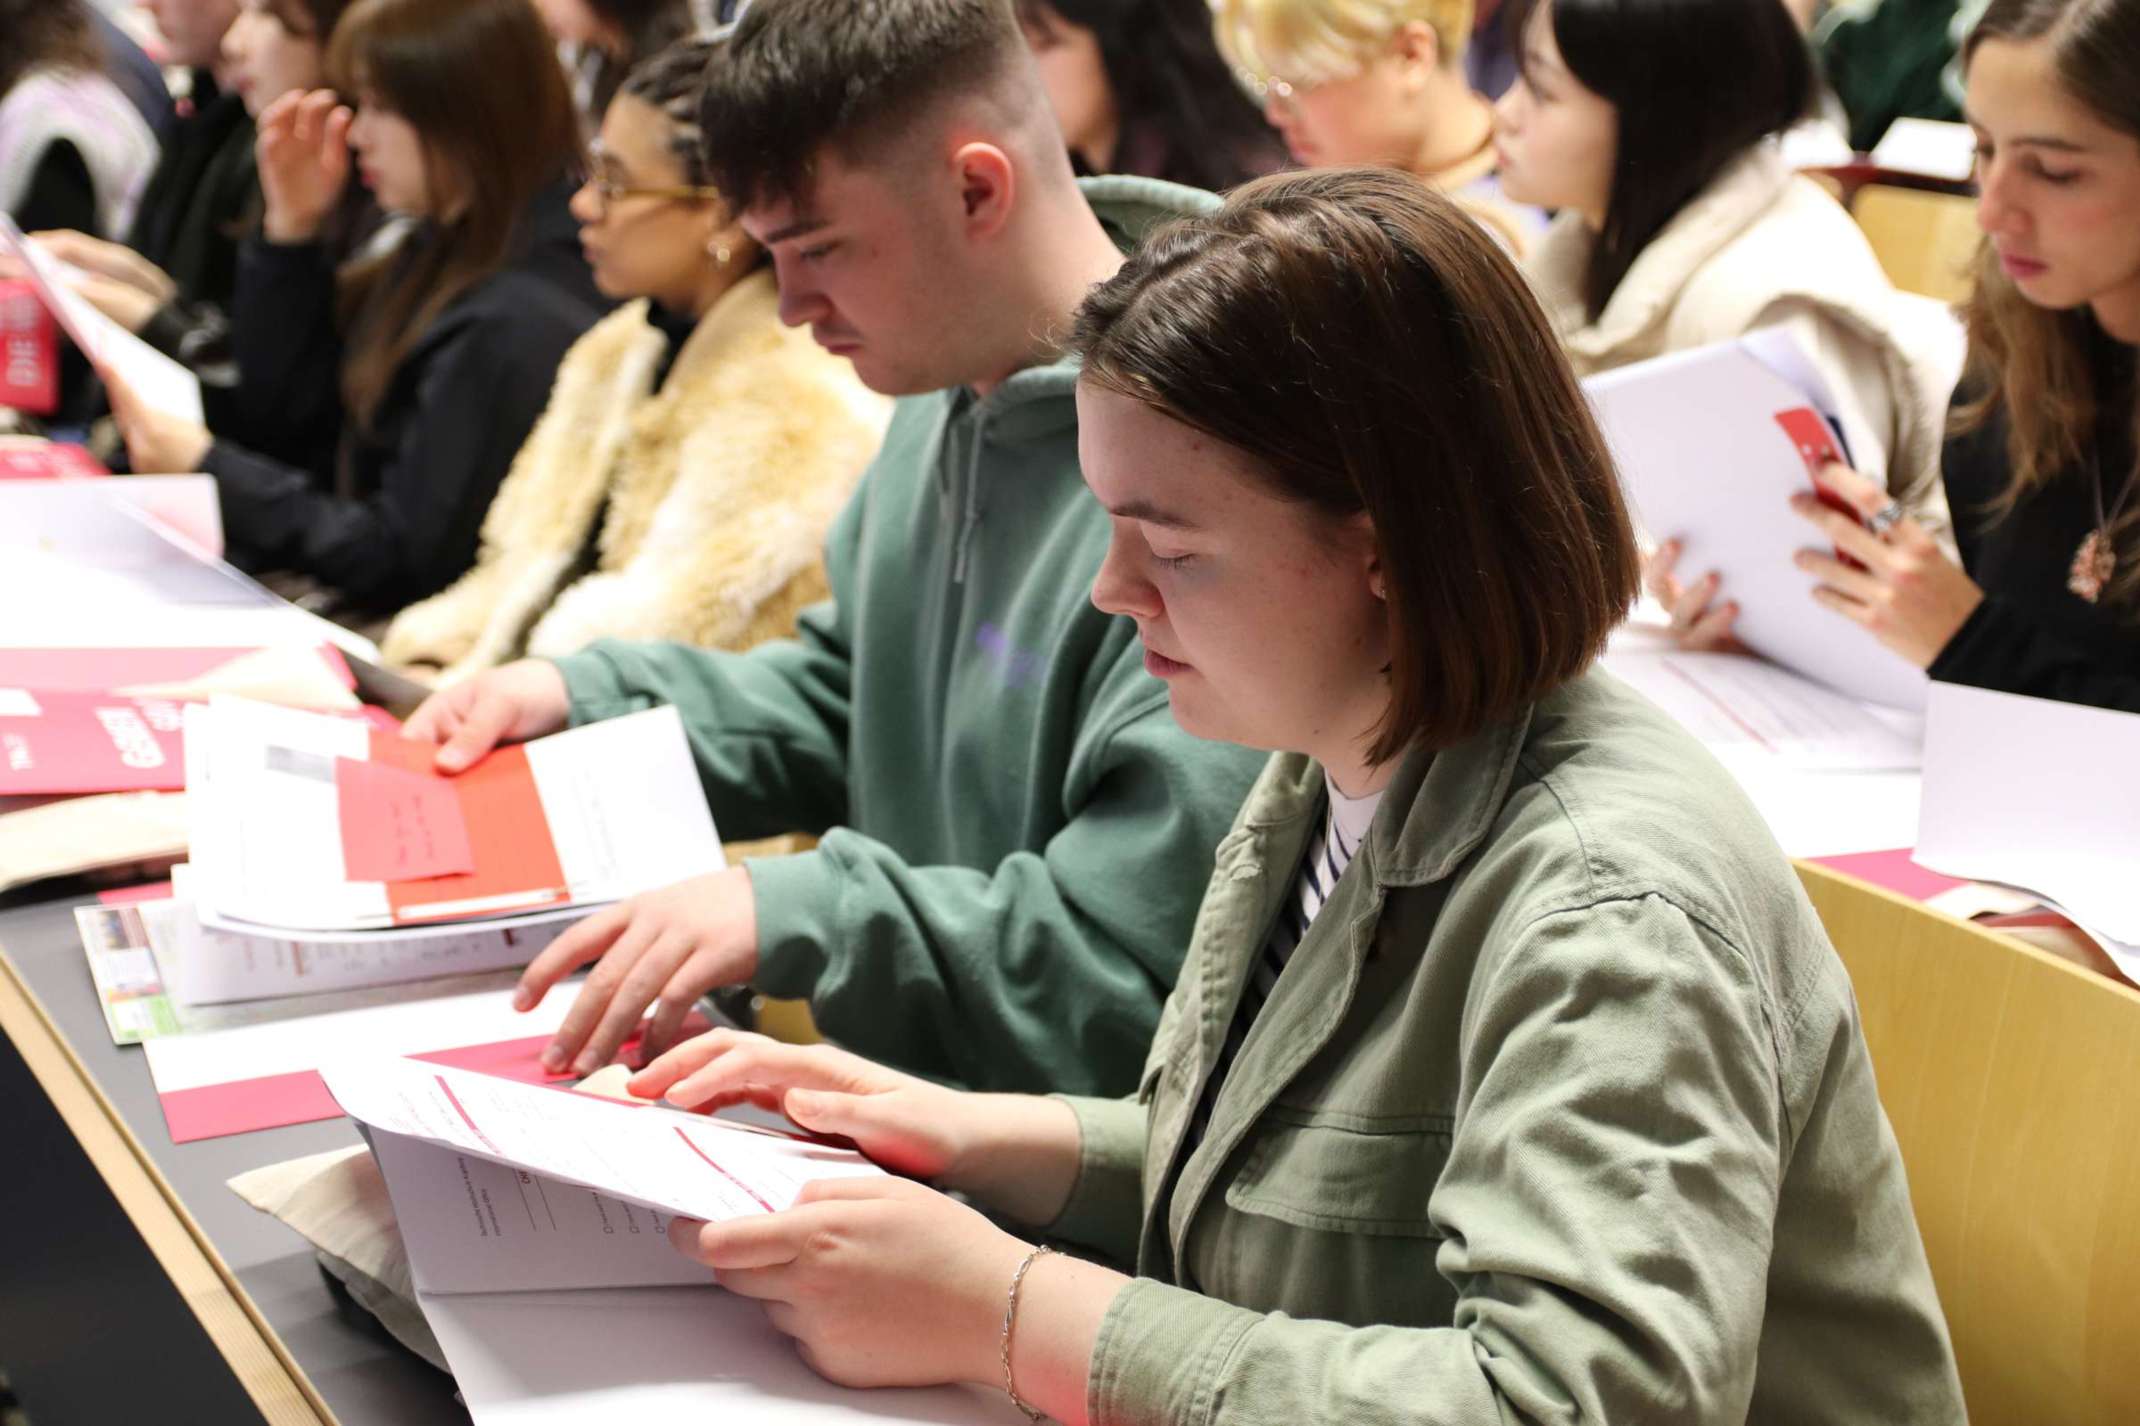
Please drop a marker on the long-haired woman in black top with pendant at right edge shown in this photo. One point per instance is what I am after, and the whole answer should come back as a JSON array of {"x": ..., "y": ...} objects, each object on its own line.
[{"x": 2043, "y": 466}]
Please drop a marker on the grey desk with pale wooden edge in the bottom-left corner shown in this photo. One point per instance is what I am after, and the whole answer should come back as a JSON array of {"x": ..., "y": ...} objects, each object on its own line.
[{"x": 134, "y": 1286}]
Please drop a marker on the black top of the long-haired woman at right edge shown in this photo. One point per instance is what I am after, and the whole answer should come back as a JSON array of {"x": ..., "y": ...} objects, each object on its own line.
[{"x": 2032, "y": 635}]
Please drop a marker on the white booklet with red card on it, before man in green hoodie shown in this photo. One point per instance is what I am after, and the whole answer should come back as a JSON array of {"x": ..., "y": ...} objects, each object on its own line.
[{"x": 316, "y": 828}]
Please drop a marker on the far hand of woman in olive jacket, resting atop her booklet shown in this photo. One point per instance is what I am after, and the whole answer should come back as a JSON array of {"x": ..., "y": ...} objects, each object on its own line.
[{"x": 902, "y": 1123}]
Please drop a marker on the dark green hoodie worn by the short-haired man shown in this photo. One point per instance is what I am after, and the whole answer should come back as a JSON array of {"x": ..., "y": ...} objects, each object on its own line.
[{"x": 1013, "y": 828}]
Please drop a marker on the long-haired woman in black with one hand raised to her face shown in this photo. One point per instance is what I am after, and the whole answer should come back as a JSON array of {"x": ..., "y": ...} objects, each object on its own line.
[{"x": 431, "y": 356}]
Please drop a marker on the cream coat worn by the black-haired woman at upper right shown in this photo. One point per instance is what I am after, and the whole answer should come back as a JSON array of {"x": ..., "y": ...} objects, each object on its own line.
[{"x": 1764, "y": 247}]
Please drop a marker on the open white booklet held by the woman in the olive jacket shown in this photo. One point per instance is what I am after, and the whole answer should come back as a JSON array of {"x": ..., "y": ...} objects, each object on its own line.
[{"x": 538, "y": 1239}]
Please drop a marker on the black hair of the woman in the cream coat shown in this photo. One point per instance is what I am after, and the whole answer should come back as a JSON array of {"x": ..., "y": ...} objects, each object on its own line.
[{"x": 1696, "y": 82}]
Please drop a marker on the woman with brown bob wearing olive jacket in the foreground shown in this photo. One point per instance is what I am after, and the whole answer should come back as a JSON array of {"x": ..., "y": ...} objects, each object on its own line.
[{"x": 1510, "y": 1074}]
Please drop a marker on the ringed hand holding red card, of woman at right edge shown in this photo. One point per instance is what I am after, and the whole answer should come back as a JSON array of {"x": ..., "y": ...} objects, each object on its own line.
[{"x": 1908, "y": 594}]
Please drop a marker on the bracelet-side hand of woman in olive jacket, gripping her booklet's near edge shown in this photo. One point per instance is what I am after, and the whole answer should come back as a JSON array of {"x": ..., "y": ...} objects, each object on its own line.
[{"x": 878, "y": 1279}]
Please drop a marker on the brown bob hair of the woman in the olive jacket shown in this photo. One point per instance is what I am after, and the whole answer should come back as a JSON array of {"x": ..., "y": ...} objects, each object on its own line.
[{"x": 1373, "y": 350}]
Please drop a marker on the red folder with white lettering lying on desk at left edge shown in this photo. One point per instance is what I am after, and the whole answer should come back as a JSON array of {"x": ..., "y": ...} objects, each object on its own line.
[{"x": 65, "y": 744}]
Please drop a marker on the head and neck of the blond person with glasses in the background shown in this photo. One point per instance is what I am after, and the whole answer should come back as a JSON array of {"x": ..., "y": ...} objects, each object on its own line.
[{"x": 1377, "y": 82}]
